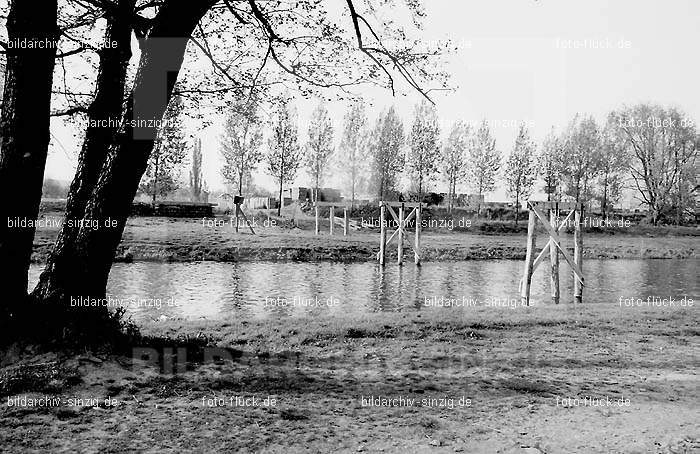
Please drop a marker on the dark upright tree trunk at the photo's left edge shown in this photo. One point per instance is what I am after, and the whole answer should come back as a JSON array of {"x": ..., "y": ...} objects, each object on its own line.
[{"x": 24, "y": 131}]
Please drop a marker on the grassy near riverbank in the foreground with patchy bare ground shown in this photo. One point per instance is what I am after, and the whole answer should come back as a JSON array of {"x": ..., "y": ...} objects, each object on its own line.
[{"x": 566, "y": 379}]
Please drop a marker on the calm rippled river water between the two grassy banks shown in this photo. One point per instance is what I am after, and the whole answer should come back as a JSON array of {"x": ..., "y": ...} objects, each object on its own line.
[{"x": 213, "y": 290}]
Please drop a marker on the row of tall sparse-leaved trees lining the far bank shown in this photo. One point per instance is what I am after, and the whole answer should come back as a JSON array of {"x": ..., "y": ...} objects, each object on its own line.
[{"x": 647, "y": 148}]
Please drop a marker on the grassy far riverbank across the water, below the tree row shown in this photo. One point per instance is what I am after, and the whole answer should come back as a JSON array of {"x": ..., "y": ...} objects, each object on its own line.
[{"x": 186, "y": 240}]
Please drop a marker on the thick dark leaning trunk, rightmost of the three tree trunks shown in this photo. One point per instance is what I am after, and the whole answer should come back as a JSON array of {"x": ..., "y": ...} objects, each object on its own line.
[{"x": 86, "y": 272}]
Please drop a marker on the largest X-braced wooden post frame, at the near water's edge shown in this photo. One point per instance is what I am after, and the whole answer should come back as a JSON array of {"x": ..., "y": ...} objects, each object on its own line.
[{"x": 553, "y": 246}]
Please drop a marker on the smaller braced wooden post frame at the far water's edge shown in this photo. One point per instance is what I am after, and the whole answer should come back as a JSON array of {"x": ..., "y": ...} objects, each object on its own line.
[{"x": 401, "y": 233}]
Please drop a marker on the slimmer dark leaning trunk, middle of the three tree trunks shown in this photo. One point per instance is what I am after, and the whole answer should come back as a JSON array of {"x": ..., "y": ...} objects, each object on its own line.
[{"x": 104, "y": 115}]
